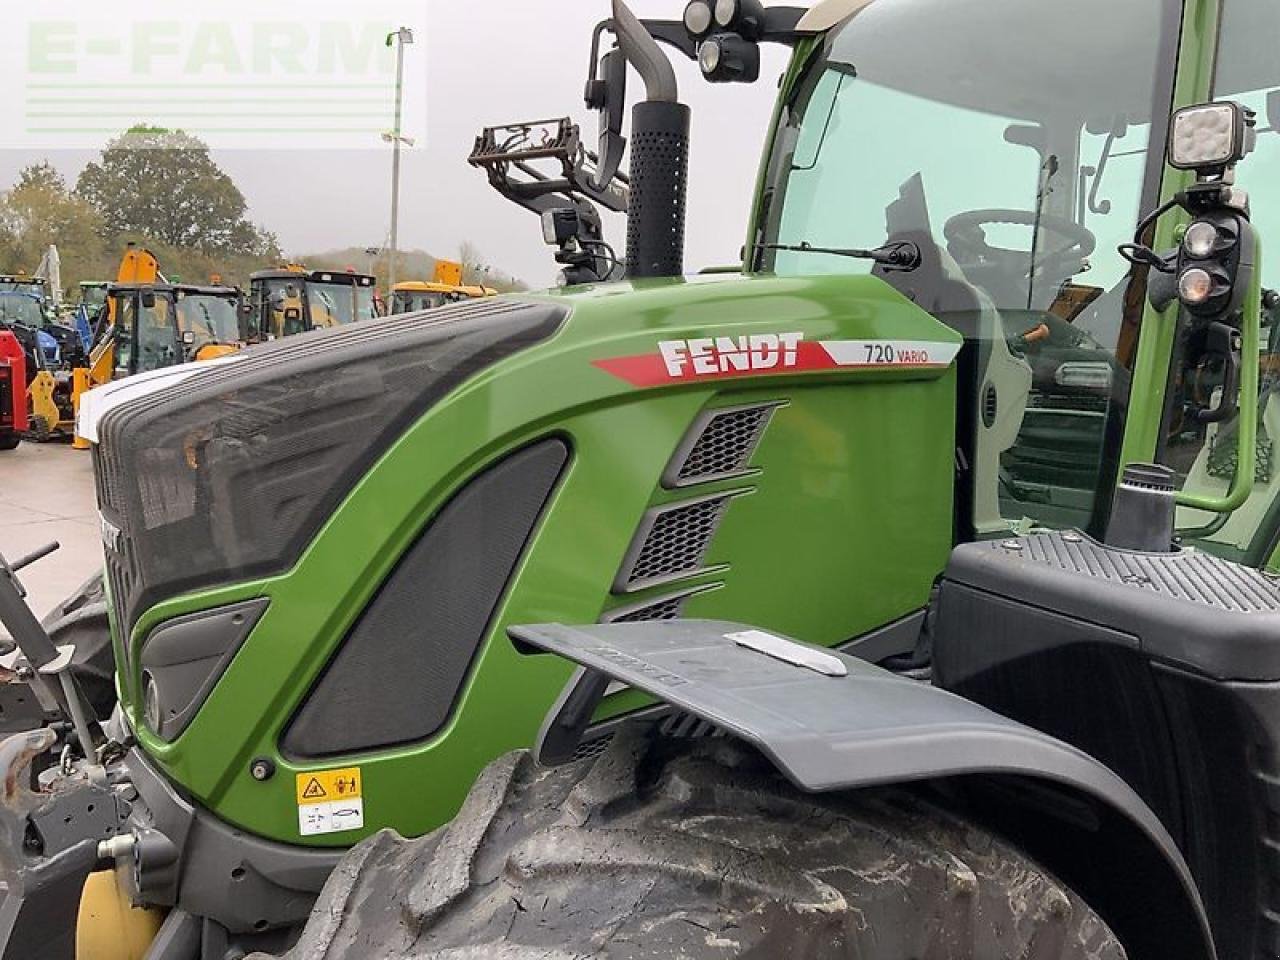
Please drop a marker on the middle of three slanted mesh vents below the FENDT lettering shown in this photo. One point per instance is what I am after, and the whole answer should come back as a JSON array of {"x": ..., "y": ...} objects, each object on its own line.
[{"x": 671, "y": 543}]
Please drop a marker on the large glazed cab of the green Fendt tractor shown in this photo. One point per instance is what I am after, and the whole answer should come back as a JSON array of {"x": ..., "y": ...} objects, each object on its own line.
[{"x": 1017, "y": 167}]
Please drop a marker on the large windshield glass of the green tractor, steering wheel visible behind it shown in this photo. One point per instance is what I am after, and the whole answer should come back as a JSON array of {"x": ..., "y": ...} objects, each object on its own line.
[{"x": 1017, "y": 163}]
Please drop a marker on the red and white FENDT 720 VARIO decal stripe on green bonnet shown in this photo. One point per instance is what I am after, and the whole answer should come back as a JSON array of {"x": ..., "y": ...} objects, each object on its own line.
[{"x": 765, "y": 354}]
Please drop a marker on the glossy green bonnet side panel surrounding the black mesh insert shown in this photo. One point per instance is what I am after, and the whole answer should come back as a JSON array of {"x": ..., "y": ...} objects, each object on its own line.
[{"x": 856, "y": 459}]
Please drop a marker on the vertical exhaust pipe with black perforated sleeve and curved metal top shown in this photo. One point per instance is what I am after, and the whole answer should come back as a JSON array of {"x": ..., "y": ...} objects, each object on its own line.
[{"x": 660, "y": 157}]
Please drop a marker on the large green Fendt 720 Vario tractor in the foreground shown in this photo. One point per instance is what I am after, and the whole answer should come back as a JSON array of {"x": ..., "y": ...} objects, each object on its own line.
[{"x": 984, "y": 422}]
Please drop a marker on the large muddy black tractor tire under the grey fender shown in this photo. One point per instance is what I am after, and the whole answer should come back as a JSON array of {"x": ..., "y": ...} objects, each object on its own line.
[{"x": 660, "y": 849}]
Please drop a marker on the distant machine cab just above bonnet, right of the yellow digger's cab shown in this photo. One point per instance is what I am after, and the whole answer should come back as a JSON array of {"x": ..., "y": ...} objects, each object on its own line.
[{"x": 294, "y": 300}]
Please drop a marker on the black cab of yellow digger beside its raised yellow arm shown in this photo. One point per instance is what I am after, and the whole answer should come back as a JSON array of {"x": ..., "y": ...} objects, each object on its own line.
[{"x": 162, "y": 326}]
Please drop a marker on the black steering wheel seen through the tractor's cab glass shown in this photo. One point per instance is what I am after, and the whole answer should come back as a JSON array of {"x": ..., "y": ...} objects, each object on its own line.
[{"x": 967, "y": 243}]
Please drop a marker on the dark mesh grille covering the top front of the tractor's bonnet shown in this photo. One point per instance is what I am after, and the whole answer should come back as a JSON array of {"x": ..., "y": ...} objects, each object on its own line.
[{"x": 231, "y": 473}]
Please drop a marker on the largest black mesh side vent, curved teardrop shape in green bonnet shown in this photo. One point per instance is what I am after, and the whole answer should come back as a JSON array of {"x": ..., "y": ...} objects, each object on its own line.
[{"x": 399, "y": 673}]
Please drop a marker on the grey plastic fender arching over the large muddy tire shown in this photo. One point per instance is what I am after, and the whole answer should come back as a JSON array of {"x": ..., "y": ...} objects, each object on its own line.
[{"x": 834, "y": 723}]
